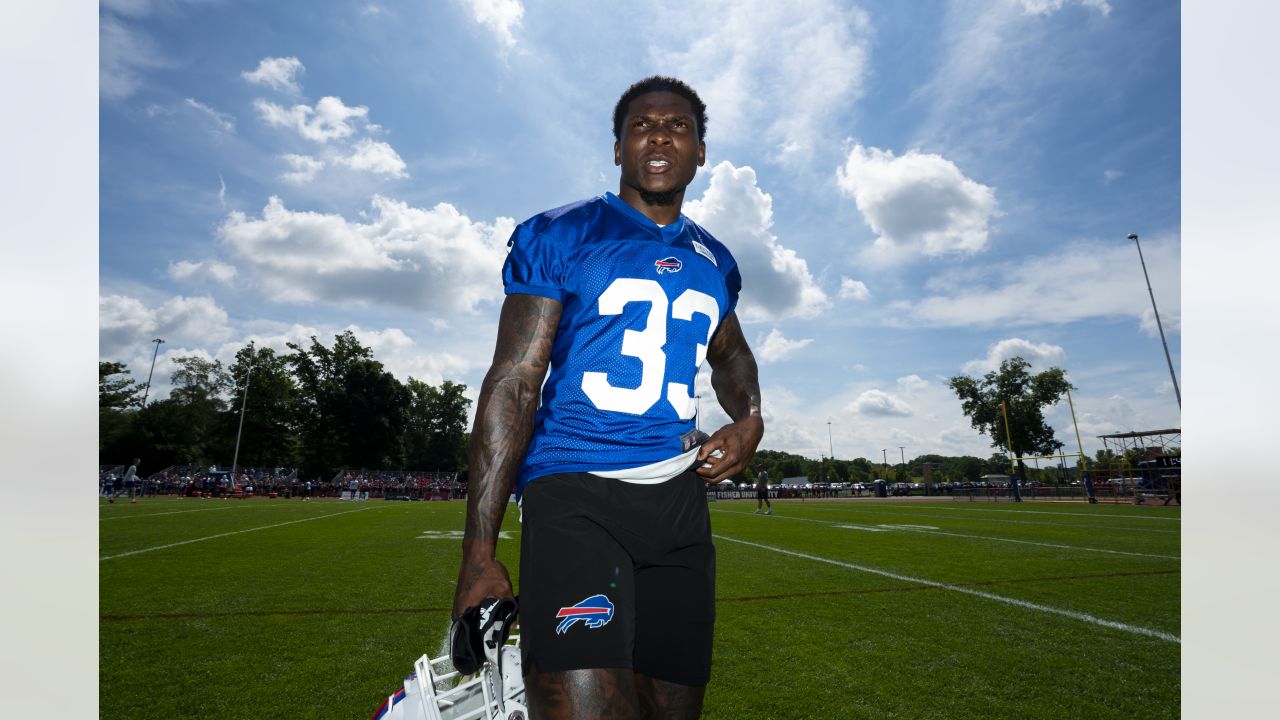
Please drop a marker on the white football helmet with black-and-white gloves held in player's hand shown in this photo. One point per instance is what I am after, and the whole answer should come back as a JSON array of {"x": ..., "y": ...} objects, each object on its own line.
[{"x": 438, "y": 691}]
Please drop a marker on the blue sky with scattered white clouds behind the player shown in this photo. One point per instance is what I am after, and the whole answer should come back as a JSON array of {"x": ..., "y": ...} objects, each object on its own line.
[{"x": 912, "y": 192}]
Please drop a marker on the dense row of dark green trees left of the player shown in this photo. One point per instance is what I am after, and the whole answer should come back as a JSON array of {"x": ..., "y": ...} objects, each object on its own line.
[{"x": 317, "y": 408}]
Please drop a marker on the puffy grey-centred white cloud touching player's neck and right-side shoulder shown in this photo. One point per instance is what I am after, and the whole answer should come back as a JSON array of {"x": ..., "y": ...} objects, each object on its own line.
[{"x": 776, "y": 281}]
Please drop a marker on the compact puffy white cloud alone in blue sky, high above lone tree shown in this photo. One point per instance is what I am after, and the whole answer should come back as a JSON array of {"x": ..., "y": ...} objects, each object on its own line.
[{"x": 917, "y": 204}]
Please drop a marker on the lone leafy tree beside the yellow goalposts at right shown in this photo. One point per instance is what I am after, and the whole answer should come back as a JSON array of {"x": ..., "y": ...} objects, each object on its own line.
[{"x": 1026, "y": 397}]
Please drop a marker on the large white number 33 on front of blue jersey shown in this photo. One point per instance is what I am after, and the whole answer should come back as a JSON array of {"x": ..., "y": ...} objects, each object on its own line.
[{"x": 647, "y": 347}]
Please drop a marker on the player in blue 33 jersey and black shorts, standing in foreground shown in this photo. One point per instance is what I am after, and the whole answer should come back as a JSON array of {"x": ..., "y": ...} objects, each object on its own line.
[{"x": 615, "y": 302}]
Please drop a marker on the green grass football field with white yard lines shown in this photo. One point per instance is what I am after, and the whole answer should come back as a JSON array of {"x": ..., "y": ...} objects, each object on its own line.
[{"x": 275, "y": 609}]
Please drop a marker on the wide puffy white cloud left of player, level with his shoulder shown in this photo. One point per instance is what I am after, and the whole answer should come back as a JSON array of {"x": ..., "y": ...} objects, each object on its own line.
[{"x": 433, "y": 261}]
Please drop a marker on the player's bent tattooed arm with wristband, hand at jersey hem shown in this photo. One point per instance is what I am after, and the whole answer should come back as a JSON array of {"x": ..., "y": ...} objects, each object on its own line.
[{"x": 738, "y": 388}]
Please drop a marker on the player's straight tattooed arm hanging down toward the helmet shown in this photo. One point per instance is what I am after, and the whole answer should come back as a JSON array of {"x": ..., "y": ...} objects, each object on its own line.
[{"x": 504, "y": 427}]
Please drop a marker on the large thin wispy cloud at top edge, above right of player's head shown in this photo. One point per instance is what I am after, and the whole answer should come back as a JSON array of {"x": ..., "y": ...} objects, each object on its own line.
[{"x": 739, "y": 70}]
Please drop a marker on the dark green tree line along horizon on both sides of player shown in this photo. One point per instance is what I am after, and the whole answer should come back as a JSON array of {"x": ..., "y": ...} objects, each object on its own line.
[{"x": 324, "y": 409}]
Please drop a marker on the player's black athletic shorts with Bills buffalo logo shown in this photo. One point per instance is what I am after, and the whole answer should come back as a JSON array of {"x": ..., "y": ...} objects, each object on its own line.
[{"x": 616, "y": 575}]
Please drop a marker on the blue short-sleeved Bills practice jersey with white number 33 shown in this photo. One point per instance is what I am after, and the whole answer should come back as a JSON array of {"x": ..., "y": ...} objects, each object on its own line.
[{"x": 641, "y": 306}]
